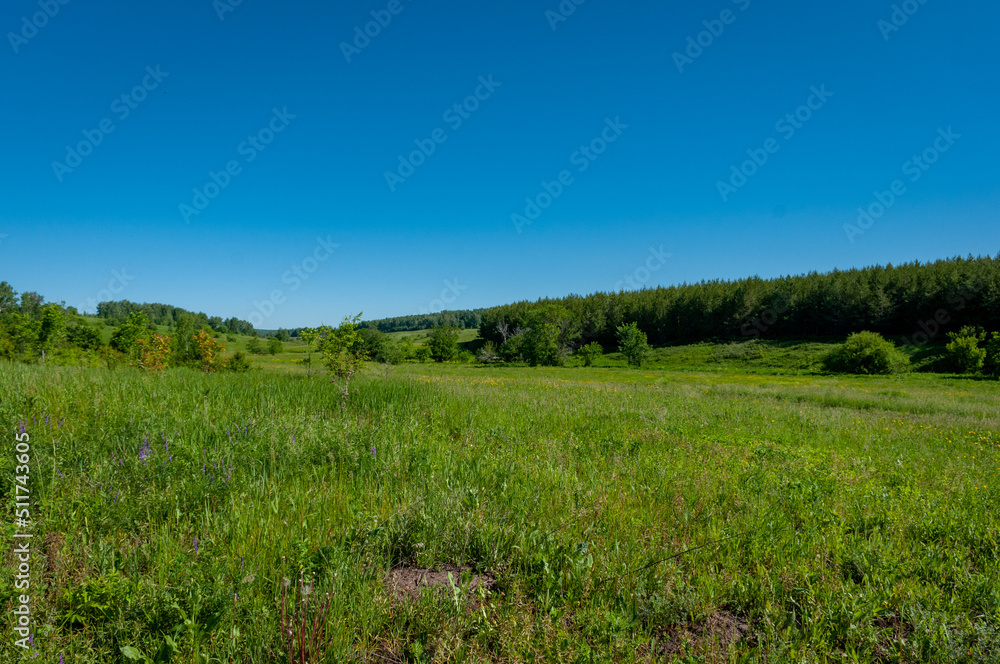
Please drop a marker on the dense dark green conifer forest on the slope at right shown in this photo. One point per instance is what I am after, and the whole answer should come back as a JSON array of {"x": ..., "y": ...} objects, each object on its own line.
[{"x": 914, "y": 303}]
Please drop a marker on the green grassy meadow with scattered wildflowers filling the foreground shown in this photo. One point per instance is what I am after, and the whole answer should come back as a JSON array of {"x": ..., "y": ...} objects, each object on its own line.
[{"x": 698, "y": 510}]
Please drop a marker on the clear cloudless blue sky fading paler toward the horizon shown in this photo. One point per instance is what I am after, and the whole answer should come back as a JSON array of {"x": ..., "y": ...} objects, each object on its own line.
[{"x": 324, "y": 174}]
